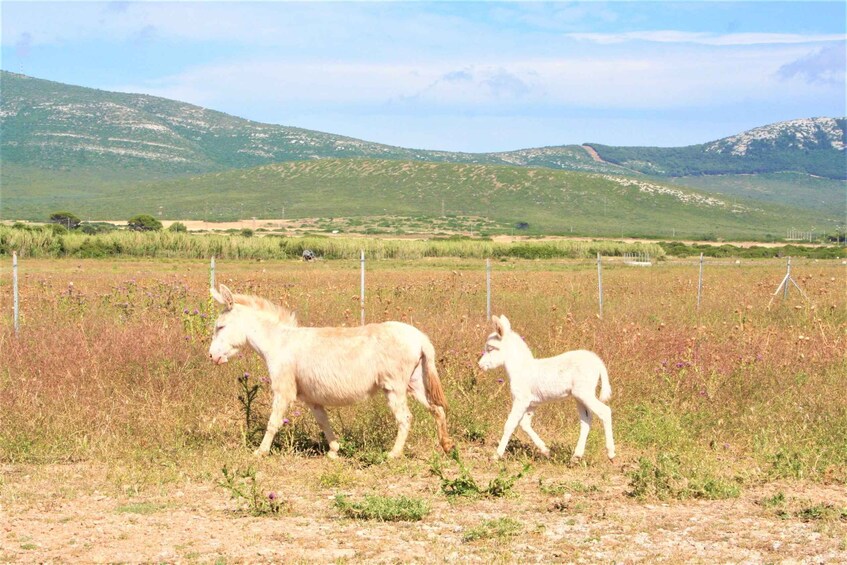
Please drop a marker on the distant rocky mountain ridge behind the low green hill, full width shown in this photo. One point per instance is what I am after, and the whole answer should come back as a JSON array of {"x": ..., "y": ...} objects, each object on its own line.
[{"x": 55, "y": 125}]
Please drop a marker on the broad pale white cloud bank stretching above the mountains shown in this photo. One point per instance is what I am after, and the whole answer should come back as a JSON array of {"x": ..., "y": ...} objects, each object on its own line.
[{"x": 677, "y": 78}]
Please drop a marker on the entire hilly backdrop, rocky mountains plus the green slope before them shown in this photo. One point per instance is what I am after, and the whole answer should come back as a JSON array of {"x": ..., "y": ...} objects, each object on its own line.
[{"x": 92, "y": 151}]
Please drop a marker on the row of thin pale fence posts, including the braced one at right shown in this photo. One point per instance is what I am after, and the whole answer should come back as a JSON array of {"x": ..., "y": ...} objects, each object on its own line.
[{"x": 783, "y": 286}]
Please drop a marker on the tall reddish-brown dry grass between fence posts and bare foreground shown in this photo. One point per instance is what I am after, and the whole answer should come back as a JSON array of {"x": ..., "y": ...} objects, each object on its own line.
[{"x": 114, "y": 365}]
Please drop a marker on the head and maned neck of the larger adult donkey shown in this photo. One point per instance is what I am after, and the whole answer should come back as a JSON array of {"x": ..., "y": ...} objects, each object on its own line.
[{"x": 241, "y": 314}]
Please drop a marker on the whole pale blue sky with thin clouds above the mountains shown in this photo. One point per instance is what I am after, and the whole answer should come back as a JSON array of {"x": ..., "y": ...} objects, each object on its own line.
[{"x": 472, "y": 76}]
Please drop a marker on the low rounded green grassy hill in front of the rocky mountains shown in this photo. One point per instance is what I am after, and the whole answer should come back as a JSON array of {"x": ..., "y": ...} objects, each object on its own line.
[{"x": 550, "y": 201}]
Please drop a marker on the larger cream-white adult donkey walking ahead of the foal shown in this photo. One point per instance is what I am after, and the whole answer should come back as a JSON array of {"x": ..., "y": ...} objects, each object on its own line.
[{"x": 331, "y": 366}]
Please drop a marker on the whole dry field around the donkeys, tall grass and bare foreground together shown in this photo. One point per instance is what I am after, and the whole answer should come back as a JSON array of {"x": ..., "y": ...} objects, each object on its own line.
[{"x": 120, "y": 442}]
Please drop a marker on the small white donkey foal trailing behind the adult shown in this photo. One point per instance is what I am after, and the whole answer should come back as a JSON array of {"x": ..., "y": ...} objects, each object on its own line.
[{"x": 535, "y": 381}]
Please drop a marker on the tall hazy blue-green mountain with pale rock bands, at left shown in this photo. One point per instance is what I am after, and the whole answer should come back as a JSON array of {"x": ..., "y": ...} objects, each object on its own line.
[{"x": 57, "y": 126}]
